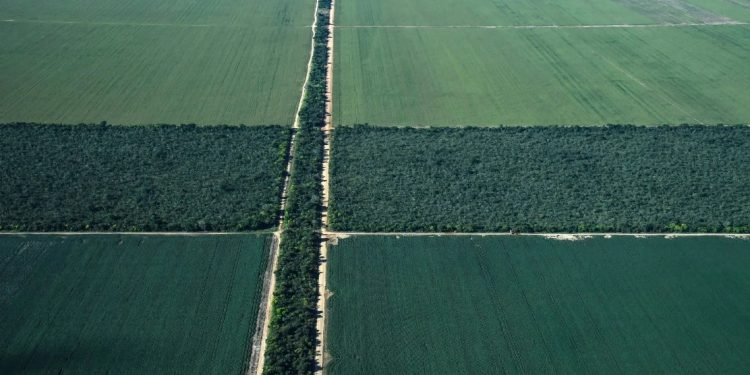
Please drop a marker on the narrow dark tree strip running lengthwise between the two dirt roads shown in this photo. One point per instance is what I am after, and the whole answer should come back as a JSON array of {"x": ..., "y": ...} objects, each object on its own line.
[{"x": 292, "y": 336}]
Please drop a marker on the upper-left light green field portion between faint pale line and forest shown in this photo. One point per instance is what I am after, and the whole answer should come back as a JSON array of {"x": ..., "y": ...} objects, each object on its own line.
[{"x": 135, "y": 74}]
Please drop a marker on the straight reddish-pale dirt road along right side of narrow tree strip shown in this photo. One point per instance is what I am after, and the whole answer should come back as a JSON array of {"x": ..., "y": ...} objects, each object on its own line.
[{"x": 320, "y": 351}]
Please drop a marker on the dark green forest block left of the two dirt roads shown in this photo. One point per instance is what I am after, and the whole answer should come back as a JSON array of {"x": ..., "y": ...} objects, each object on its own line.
[{"x": 141, "y": 178}]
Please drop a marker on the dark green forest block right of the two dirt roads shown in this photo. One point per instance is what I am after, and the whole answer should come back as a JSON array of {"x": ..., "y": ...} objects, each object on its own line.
[{"x": 541, "y": 179}]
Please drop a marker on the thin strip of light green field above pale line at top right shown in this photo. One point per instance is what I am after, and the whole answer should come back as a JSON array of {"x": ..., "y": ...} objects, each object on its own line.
[{"x": 536, "y": 12}]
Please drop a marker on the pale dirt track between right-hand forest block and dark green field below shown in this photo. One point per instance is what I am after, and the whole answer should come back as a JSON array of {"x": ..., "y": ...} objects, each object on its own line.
[{"x": 559, "y": 235}]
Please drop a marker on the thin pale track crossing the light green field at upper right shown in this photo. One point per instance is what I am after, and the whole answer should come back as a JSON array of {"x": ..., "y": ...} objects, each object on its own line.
[{"x": 511, "y": 27}]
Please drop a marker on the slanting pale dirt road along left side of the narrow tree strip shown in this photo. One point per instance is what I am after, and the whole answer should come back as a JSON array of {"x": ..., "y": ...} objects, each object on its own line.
[{"x": 258, "y": 353}]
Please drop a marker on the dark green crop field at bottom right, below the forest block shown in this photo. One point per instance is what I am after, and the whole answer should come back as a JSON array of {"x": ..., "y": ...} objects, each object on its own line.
[{"x": 530, "y": 305}]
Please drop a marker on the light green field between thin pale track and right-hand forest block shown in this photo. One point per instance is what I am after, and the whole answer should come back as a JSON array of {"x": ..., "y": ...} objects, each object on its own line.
[{"x": 454, "y": 77}]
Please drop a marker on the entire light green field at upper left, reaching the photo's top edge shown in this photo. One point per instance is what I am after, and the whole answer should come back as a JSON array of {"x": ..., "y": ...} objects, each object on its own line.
[{"x": 135, "y": 62}]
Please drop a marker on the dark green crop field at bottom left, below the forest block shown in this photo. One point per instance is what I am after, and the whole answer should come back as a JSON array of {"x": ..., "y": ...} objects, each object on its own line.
[{"x": 129, "y": 304}]
